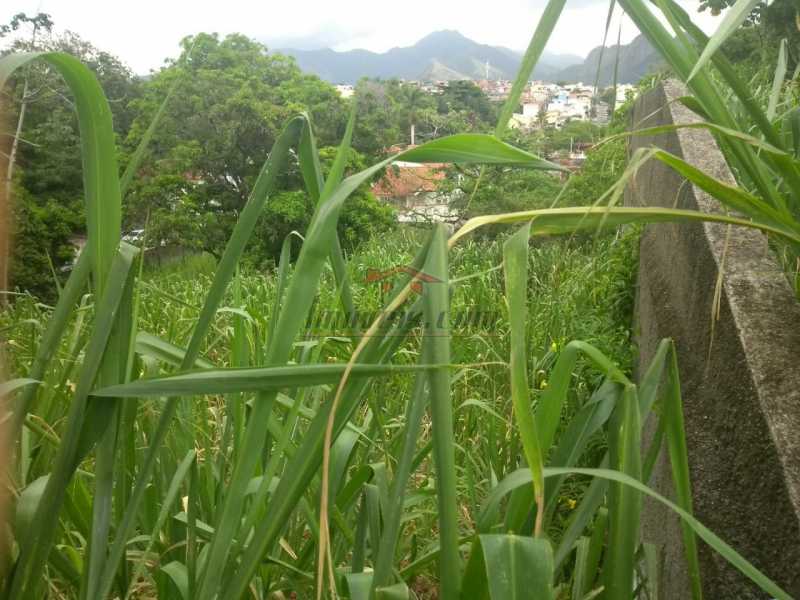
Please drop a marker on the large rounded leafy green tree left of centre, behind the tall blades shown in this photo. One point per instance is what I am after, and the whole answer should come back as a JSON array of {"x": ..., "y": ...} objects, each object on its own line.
[{"x": 234, "y": 98}]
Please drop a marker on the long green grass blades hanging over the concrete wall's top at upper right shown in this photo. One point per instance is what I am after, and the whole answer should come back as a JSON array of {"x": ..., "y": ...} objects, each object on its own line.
[{"x": 758, "y": 130}]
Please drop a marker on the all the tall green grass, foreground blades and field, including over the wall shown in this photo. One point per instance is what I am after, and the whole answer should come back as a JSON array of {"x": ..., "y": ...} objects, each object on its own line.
[{"x": 210, "y": 433}]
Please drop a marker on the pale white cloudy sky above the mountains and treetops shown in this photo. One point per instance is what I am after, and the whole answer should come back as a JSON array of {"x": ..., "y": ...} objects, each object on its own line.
[{"x": 144, "y": 32}]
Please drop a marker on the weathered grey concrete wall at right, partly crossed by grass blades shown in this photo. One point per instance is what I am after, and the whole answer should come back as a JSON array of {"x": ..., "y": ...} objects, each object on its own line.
[{"x": 741, "y": 386}]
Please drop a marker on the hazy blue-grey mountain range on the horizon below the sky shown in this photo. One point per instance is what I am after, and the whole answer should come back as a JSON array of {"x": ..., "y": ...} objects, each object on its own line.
[{"x": 448, "y": 55}]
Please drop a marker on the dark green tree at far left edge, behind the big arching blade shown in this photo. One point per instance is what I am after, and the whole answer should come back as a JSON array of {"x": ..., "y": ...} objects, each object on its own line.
[{"x": 45, "y": 167}]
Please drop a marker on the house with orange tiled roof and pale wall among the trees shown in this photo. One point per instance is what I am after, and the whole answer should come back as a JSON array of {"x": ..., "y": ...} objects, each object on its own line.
[{"x": 414, "y": 190}]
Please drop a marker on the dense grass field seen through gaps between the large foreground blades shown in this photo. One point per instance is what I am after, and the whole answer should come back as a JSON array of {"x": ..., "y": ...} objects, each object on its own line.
[{"x": 580, "y": 288}]
